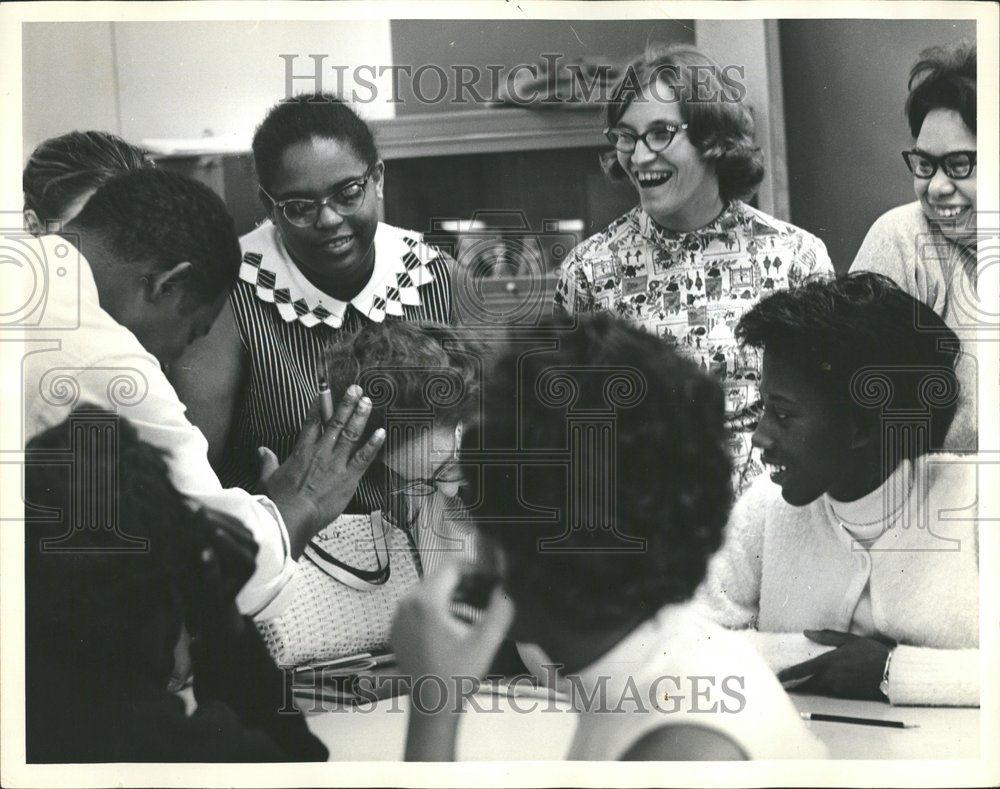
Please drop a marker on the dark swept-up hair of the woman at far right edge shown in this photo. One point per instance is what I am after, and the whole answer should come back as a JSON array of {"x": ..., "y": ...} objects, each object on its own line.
[{"x": 943, "y": 78}]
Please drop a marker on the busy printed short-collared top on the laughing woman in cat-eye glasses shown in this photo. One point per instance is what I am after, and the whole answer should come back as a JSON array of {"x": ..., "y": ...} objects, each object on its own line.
[{"x": 692, "y": 288}]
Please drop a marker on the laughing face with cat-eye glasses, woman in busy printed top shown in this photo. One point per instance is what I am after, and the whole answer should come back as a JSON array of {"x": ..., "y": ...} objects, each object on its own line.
[{"x": 676, "y": 187}]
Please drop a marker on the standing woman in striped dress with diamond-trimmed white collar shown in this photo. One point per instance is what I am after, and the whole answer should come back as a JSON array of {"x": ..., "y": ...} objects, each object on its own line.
[{"x": 318, "y": 269}]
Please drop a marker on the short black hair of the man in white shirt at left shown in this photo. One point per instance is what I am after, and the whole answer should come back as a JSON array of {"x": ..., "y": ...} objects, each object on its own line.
[{"x": 167, "y": 218}]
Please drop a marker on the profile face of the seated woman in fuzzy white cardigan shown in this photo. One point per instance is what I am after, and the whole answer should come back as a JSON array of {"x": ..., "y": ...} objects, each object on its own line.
[{"x": 803, "y": 437}]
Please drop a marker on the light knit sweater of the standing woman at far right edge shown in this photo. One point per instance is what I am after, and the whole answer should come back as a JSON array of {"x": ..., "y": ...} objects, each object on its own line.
[{"x": 909, "y": 249}]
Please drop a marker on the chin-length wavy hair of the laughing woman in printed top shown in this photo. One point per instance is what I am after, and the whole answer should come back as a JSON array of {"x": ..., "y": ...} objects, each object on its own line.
[{"x": 721, "y": 128}]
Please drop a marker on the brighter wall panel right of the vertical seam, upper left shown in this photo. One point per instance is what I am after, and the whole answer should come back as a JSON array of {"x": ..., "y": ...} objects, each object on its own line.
[{"x": 181, "y": 79}]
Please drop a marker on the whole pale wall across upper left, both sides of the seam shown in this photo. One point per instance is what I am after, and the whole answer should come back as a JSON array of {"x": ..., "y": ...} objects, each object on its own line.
[{"x": 179, "y": 79}]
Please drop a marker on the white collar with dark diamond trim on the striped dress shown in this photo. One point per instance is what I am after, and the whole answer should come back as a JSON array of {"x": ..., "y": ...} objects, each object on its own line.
[{"x": 401, "y": 269}]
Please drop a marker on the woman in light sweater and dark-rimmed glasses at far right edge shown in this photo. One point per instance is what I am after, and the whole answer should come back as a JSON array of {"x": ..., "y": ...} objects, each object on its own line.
[{"x": 928, "y": 247}]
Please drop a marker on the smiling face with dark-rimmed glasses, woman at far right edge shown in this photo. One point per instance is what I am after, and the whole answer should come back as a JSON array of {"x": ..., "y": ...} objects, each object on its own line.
[{"x": 948, "y": 203}]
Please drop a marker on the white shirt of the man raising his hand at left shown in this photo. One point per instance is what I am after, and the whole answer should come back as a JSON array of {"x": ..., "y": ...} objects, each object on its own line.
[{"x": 89, "y": 358}]
